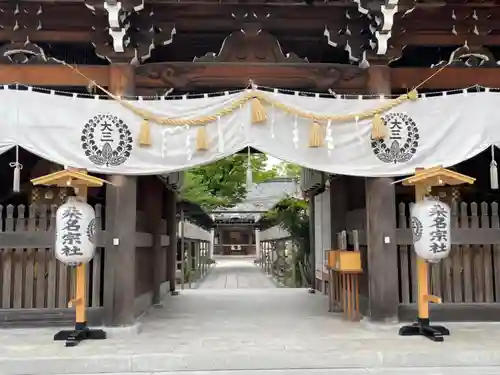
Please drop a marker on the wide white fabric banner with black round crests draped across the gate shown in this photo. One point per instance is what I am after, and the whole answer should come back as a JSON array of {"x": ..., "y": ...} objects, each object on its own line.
[{"x": 101, "y": 135}]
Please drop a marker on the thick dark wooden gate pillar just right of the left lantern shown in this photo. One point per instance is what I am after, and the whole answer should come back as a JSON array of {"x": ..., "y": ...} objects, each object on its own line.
[{"x": 121, "y": 206}]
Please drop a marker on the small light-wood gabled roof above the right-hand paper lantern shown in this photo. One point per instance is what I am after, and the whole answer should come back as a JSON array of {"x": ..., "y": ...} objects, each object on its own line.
[{"x": 437, "y": 176}]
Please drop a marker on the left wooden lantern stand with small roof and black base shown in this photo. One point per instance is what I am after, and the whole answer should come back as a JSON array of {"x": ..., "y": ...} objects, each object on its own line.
[{"x": 80, "y": 181}]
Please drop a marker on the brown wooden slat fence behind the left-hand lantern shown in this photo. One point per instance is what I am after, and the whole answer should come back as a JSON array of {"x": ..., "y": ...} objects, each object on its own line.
[{"x": 30, "y": 275}]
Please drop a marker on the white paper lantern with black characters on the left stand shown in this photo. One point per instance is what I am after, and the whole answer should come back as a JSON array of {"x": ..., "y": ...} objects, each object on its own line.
[{"x": 75, "y": 232}]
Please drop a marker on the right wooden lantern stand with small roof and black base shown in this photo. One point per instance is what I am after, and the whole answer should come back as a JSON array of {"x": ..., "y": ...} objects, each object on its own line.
[{"x": 424, "y": 180}]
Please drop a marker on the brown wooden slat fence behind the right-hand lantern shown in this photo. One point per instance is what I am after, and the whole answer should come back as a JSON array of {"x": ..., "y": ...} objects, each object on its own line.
[{"x": 471, "y": 274}]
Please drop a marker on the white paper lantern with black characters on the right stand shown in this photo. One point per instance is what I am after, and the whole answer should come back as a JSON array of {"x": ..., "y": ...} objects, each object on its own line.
[{"x": 430, "y": 223}]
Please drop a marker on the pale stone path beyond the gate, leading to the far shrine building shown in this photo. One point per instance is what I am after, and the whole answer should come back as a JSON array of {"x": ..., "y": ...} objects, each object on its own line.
[{"x": 236, "y": 273}]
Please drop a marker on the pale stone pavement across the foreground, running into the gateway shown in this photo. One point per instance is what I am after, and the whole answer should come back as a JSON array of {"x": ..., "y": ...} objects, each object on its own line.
[{"x": 259, "y": 331}]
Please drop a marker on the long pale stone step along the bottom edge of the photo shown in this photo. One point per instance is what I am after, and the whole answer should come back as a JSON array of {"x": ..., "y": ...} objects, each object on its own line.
[{"x": 79, "y": 361}]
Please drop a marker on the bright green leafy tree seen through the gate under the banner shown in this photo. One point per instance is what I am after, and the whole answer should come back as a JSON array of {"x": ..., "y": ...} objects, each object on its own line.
[{"x": 223, "y": 183}]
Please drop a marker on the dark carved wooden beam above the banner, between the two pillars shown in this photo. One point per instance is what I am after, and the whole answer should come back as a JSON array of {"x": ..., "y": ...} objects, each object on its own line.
[{"x": 217, "y": 75}]
